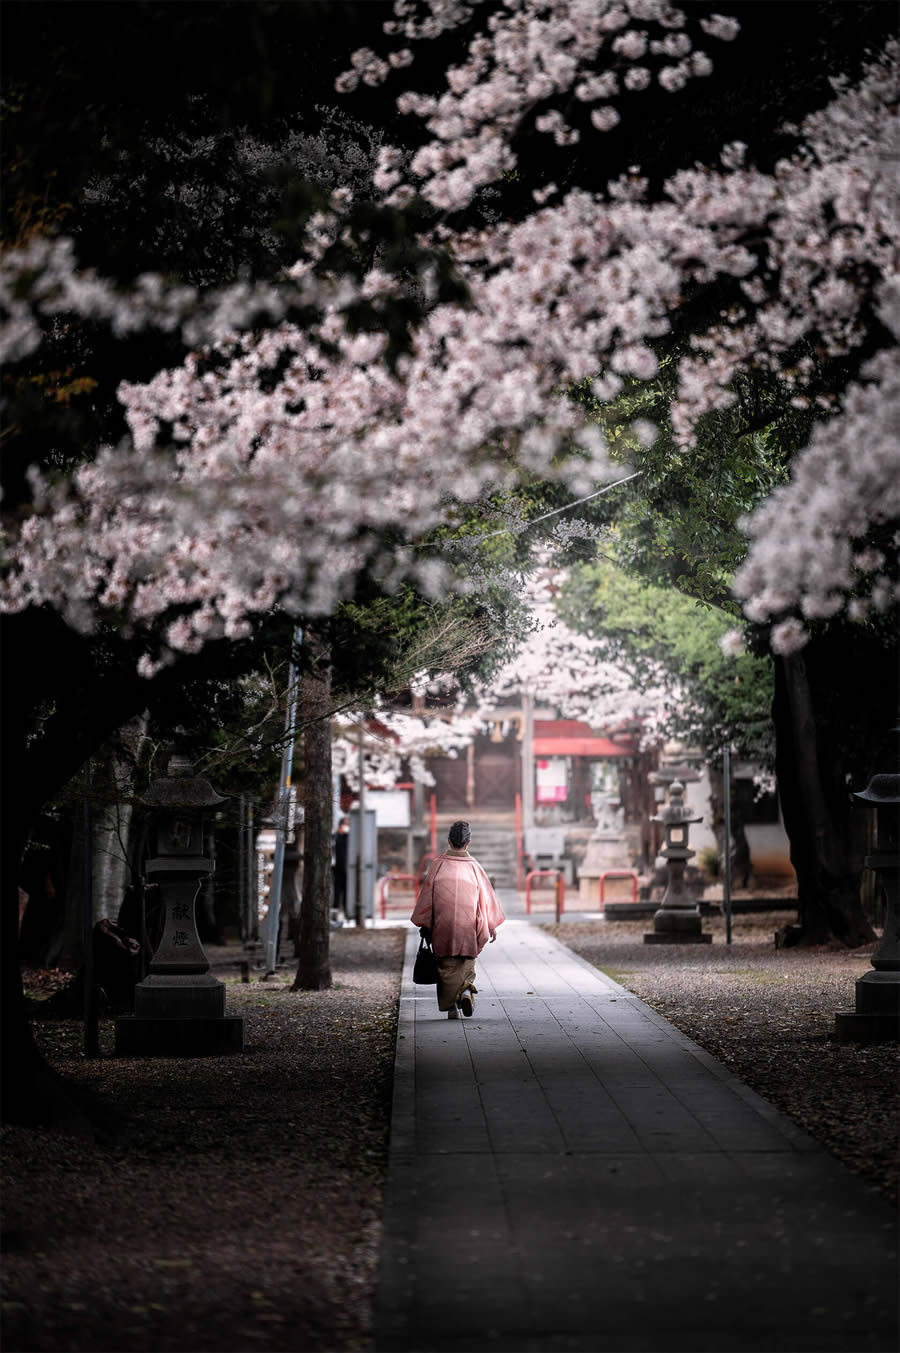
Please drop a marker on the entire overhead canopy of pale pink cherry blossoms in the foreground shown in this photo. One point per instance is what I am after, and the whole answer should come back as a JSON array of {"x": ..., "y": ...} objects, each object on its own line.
[{"x": 278, "y": 439}]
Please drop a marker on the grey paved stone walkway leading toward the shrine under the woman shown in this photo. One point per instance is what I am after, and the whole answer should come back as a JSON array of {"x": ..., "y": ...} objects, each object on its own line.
[{"x": 570, "y": 1172}]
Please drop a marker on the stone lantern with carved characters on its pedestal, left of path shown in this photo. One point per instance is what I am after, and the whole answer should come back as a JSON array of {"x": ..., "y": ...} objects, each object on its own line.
[{"x": 179, "y": 1007}]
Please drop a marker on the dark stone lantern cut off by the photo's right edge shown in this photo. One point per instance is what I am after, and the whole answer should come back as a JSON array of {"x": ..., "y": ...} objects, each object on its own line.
[{"x": 878, "y": 1014}]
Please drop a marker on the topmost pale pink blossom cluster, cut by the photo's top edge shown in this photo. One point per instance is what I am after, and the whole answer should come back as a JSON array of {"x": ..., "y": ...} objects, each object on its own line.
[{"x": 533, "y": 51}]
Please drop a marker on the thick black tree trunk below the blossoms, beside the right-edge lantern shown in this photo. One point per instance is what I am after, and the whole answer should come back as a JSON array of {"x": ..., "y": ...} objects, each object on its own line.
[{"x": 833, "y": 711}]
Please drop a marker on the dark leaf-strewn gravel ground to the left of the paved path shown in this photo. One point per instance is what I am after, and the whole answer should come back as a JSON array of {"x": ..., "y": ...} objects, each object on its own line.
[{"x": 235, "y": 1202}]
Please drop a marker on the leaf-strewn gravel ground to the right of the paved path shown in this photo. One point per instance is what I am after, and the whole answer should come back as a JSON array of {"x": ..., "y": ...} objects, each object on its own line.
[{"x": 769, "y": 1015}]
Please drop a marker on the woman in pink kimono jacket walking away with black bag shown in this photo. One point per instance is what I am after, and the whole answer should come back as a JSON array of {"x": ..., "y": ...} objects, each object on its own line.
[{"x": 459, "y": 914}]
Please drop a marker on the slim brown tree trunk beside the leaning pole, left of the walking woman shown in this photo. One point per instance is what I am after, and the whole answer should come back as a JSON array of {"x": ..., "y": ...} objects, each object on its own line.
[{"x": 313, "y": 971}]
